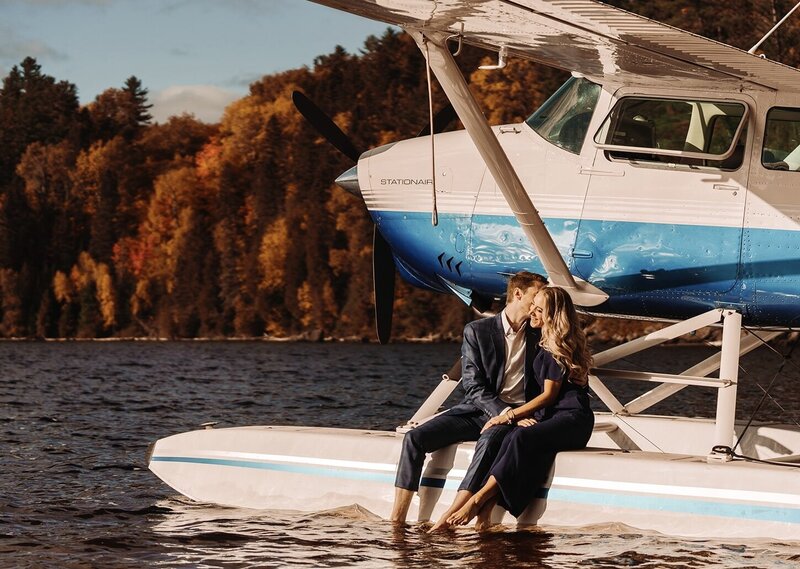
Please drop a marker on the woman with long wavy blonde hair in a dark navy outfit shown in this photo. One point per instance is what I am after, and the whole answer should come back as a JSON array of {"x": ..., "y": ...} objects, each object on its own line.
[{"x": 558, "y": 419}]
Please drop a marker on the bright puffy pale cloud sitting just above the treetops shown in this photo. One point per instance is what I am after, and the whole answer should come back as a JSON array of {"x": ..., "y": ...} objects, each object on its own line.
[{"x": 205, "y": 102}]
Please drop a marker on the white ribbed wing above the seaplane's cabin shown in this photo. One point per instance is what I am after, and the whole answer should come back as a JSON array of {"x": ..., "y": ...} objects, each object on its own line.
[{"x": 608, "y": 45}]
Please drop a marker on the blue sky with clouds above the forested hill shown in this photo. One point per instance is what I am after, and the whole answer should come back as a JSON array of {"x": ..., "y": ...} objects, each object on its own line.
[{"x": 194, "y": 56}]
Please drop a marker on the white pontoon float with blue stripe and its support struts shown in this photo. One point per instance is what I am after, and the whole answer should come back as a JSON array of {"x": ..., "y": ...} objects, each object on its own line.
[{"x": 651, "y": 472}]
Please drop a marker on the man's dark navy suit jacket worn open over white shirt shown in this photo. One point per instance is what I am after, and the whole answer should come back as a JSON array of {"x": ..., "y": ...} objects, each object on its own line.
[{"x": 483, "y": 355}]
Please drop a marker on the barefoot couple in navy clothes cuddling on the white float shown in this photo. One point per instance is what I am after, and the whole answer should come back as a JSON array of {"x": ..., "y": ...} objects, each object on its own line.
[{"x": 525, "y": 374}]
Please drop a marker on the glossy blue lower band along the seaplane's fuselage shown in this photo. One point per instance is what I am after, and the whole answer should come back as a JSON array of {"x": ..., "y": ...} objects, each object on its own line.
[{"x": 649, "y": 269}]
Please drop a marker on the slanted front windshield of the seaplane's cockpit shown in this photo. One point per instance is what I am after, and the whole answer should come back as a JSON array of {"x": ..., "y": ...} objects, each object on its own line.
[{"x": 564, "y": 118}]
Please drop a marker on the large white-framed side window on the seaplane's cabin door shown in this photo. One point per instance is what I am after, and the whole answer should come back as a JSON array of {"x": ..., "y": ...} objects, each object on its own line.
[{"x": 688, "y": 132}]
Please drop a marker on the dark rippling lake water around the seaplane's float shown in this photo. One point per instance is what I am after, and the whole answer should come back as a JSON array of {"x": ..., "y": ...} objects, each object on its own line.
[{"x": 76, "y": 419}]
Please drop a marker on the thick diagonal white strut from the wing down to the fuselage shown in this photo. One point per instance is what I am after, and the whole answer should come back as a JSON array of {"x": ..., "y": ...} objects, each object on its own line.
[{"x": 454, "y": 85}]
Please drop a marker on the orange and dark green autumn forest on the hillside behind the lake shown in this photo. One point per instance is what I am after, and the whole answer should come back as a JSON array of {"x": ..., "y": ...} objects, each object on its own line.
[{"x": 114, "y": 226}]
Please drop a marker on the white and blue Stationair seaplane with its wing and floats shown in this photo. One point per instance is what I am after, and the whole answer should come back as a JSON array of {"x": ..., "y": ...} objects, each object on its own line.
[{"x": 661, "y": 181}]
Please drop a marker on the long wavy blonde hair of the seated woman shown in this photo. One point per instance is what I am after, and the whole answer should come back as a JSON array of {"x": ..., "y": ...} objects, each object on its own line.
[{"x": 562, "y": 334}]
